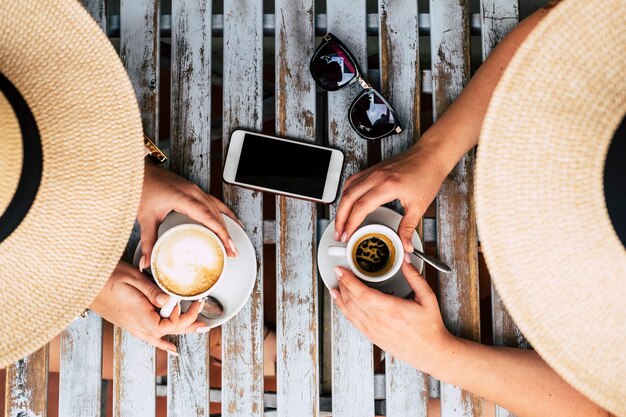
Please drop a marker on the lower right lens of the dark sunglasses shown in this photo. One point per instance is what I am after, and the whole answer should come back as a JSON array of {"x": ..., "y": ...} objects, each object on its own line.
[{"x": 371, "y": 117}]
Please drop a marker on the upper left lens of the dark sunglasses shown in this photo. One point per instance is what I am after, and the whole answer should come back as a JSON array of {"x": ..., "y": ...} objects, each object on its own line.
[{"x": 332, "y": 68}]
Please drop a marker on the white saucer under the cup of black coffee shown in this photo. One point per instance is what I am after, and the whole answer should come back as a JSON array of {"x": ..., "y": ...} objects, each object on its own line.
[{"x": 395, "y": 285}]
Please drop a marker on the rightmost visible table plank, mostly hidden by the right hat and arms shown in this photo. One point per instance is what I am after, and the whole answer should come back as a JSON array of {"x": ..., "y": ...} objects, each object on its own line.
[{"x": 499, "y": 17}]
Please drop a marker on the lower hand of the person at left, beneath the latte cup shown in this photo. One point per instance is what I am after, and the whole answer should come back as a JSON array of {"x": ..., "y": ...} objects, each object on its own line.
[{"x": 131, "y": 300}]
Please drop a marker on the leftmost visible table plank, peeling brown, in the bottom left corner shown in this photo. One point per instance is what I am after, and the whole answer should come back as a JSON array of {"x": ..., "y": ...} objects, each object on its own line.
[{"x": 26, "y": 391}]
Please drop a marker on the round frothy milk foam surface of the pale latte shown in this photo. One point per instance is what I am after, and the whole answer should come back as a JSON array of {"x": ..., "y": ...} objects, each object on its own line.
[{"x": 188, "y": 261}]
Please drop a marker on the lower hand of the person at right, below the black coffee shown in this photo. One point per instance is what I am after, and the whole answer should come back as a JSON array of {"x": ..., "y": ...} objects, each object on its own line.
[{"x": 411, "y": 330}]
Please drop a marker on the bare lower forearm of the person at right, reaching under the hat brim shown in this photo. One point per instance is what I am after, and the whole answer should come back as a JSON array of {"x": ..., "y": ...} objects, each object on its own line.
[{"x": 517, "y": 379}]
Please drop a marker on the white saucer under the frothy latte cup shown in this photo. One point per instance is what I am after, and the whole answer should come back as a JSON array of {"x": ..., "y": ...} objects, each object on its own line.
[{"x": 234, "y": 288}]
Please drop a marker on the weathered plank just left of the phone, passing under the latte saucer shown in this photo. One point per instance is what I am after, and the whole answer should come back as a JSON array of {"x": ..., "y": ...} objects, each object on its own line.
[{"x": 188, "y": 374}]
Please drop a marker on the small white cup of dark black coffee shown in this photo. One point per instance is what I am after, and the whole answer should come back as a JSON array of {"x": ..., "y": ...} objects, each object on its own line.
[{"x": 374, "y": 253}]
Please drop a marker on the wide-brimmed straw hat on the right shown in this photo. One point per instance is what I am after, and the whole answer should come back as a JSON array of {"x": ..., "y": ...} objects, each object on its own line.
[{"x": 551, "y": 245}]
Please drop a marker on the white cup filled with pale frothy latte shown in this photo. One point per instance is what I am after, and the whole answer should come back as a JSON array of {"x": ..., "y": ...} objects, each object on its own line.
[{"x": 187, "y": 261}]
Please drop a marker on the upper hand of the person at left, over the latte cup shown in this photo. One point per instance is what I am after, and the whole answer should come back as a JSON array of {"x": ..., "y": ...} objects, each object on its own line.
[{"x": 163, "y": 192}]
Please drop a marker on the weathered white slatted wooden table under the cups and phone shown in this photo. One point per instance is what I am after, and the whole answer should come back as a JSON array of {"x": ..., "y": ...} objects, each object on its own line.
[{"x": 304, "y": 314}]
